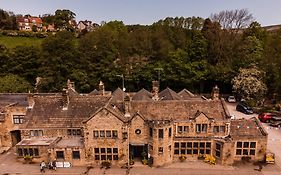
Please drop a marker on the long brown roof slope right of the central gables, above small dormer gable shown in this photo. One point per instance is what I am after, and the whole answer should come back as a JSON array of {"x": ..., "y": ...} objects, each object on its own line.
[{"x": 179, "y": 110}]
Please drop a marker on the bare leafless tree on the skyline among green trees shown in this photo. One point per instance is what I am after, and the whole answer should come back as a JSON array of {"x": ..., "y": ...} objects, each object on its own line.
[{"x": 233, "y": 19}]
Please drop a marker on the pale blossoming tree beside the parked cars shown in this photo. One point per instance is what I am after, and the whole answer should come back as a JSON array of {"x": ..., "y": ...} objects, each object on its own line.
[{"x": 249, "y": 84}]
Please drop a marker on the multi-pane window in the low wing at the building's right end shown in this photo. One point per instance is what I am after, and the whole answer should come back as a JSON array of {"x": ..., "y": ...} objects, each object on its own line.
[{"x": 245, "y": 148}]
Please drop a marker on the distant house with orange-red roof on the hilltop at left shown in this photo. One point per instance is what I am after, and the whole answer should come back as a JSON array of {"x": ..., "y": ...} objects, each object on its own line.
[{"x": 27, "y": 22}]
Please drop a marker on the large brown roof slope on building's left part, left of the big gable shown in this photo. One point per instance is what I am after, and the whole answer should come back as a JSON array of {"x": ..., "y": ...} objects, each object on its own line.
[{"x": 48, "y": 112}]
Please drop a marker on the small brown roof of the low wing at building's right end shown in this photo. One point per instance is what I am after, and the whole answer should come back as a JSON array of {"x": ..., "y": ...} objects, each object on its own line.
[{"x": 246, "y": 127}]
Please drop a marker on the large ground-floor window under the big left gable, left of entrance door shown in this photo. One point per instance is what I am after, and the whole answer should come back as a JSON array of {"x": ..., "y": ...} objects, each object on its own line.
[{"x": 106, "y": 153}]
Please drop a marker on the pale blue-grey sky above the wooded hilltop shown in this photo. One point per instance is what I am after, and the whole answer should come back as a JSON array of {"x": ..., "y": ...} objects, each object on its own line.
[{"x": 266, "y": 12}]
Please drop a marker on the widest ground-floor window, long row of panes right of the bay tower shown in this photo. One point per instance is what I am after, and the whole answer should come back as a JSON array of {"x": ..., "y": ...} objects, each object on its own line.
[{"x": 192, "y": 148}]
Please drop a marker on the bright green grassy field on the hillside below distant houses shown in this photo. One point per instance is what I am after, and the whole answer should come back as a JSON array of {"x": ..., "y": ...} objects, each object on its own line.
[{"x": 12, "y": 41}]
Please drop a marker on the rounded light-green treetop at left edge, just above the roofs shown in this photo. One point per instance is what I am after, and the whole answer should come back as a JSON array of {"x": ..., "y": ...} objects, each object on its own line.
[{"x": 13, "y": 83}]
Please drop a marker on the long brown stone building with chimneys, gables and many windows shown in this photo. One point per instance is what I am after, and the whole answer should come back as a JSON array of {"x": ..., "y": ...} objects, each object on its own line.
[{"x": 124, "y": 127}]
